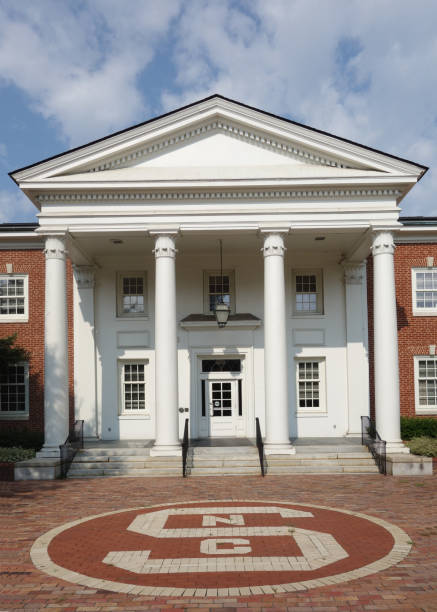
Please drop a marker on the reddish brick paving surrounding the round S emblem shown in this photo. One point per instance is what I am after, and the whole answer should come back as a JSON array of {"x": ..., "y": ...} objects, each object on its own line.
[{"x": 31, "y": 509}]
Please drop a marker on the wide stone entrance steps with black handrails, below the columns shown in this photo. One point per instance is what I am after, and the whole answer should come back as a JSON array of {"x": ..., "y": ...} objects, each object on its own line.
[{"x": 230, "y": 458}]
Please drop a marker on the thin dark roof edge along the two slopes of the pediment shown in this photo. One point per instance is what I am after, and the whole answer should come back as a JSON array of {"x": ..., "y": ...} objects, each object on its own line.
[{"x": 132, "y": 127}]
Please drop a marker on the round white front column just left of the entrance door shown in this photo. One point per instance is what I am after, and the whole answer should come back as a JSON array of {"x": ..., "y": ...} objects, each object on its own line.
[{"x": 166, "y": 366}]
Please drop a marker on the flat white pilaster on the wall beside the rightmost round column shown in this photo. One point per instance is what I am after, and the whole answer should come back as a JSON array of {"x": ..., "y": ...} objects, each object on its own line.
[{"x": 356, "y": 345}]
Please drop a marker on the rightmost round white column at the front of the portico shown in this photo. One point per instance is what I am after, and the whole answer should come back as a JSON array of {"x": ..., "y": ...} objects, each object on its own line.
[{"x": 387, "y": 407}]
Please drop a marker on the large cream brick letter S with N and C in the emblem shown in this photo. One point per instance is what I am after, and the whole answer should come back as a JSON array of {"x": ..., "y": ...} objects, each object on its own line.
[{"x": 224, "y": 535}]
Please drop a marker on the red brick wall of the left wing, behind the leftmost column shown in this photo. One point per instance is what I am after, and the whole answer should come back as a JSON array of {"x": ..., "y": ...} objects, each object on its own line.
[{"x": 30, "y": 335}]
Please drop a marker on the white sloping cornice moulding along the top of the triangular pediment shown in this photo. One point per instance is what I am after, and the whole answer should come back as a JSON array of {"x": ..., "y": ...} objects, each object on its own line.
[{"x": 217, "y": 109}]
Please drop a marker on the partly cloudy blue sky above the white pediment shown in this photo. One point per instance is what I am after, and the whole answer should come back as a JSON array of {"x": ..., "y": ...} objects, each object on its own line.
[{"x": 72, "y": 71}]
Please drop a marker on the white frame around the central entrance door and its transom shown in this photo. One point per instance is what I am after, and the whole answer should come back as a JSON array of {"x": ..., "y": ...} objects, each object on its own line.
[{"x": 247, "y": 389}]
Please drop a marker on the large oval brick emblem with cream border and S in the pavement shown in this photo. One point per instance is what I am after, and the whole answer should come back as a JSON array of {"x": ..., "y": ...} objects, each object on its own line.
[{"x": 237, "y": 547}]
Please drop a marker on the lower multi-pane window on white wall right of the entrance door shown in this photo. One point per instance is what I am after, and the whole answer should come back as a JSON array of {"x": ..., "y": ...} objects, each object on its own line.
[{"x": 310, "y": 375}]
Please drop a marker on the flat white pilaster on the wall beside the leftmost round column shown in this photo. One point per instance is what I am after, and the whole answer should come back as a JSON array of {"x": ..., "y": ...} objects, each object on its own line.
[{"x": 84, "y": 349}]
